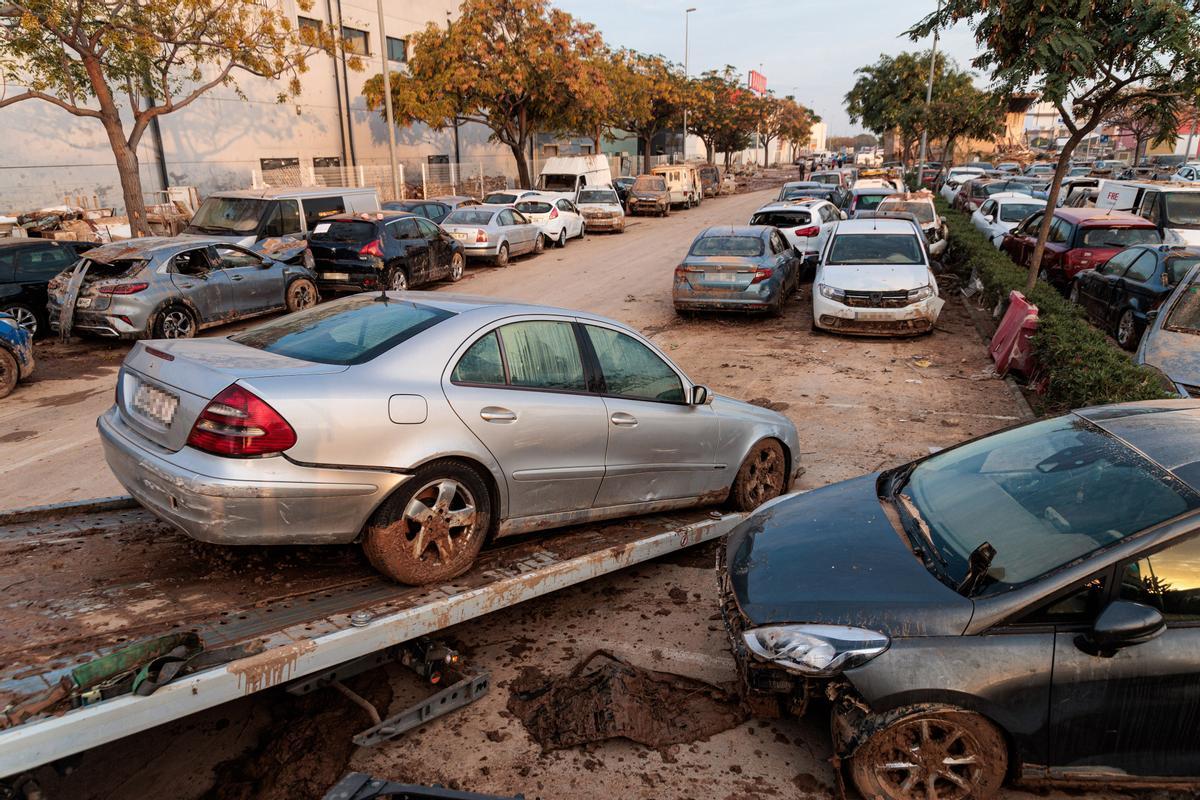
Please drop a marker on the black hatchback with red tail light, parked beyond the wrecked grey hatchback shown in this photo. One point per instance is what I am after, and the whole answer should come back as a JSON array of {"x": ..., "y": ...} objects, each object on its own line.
[{"x": 386, "y": 250}]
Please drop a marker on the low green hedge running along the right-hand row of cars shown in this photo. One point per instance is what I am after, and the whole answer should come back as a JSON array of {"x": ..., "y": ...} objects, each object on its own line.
[{"x": 1081, "y": 366}]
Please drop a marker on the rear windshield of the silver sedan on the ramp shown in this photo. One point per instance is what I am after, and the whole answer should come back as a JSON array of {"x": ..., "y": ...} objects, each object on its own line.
[{"x": 346, "y": 332}]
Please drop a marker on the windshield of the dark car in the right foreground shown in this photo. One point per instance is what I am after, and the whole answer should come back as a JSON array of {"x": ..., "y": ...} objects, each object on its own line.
[{"x": 1042, "y": 496}]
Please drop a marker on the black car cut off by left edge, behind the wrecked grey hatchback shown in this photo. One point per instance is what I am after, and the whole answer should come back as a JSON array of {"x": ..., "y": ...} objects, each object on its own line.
[{"x": 27, "y": 266}]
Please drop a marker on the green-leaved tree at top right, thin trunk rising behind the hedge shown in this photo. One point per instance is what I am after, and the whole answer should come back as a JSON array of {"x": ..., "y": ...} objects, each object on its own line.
[{"x": 1087, "y": 57}]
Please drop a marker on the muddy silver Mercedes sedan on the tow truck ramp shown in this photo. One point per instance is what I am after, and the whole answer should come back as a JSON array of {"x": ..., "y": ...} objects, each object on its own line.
[{"x": 424, "y": 424}]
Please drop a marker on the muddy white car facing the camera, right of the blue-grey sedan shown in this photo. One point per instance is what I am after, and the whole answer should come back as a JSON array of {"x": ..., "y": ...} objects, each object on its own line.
[{"x": 875, "y": 279}]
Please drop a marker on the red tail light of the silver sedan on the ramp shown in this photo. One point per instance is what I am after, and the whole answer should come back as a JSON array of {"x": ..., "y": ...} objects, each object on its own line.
[{"x": 238, "y": 424}]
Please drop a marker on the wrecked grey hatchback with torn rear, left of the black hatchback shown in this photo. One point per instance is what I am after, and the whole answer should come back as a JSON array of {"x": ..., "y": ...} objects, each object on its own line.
[{"x": 172, "y": 288}]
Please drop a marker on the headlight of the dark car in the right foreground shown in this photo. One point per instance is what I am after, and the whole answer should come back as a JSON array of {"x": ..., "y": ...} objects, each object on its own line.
[{"x": 819, "y": 651}]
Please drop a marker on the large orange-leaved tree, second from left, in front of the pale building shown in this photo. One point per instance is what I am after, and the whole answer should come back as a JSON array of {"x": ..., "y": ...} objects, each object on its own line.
[{"x": 509, "y": 65}]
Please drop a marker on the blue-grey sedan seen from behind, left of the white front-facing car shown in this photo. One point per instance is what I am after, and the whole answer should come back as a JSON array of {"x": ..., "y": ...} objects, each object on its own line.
[{"x": 749, "y": 269}]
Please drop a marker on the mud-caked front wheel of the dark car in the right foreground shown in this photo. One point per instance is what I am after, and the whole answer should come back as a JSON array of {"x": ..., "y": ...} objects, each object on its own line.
[{"x": 932, "y": 756}]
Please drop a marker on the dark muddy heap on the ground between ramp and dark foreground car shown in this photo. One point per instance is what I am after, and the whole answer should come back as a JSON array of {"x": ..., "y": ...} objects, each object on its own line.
[{"x": 605, "y": 697}]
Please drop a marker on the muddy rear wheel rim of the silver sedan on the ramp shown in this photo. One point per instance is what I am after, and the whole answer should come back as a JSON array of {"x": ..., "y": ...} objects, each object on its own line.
[{"x": 440, "y": 521}]
